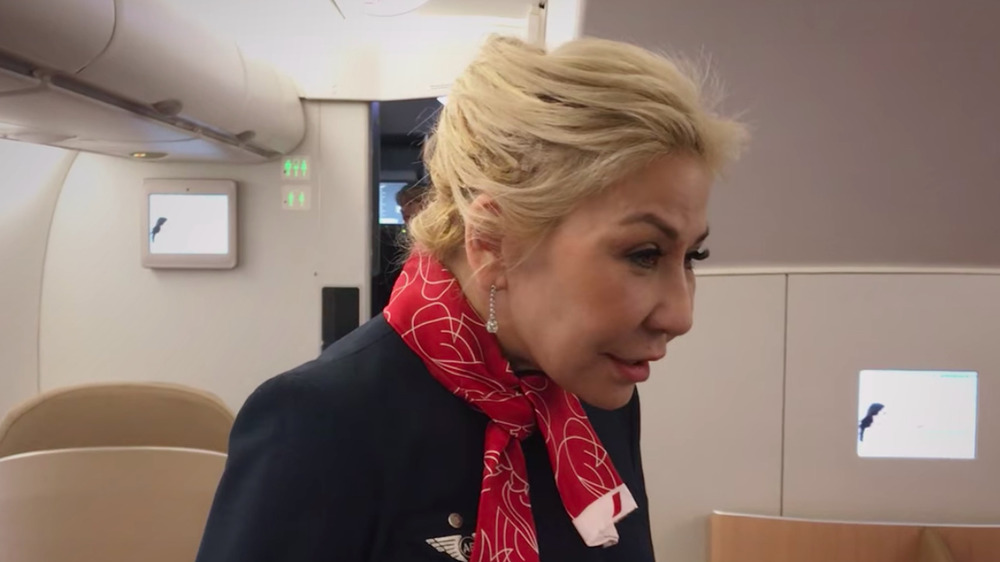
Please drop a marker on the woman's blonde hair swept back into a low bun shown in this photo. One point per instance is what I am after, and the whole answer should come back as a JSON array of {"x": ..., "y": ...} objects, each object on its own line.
[{"x": 539, "y": 132}]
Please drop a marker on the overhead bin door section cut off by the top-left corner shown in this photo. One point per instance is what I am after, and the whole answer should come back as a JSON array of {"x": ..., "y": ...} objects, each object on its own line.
[{"x": 61, "y": 34}]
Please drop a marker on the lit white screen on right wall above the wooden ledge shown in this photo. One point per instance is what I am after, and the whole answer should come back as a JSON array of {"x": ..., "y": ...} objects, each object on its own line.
[{"x": 917, "y": 414}]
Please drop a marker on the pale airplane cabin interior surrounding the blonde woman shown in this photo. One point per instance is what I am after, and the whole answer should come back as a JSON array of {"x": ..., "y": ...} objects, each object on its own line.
[{"x": 198, "y": 195}]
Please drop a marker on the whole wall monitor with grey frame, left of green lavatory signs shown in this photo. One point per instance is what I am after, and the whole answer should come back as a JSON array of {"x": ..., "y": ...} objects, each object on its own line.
[{"x": 189, "y": 224}]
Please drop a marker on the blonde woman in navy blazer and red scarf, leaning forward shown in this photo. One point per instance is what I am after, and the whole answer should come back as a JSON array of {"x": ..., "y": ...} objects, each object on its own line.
[{"x": 491, "y": 413}]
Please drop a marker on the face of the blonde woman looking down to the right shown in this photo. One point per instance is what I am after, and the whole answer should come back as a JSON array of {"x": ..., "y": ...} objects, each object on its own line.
[{"x": 599, "y": 299}]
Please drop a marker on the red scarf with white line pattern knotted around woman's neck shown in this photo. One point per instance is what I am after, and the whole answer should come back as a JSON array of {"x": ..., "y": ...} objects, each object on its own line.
[{"x": 430, "y": 312}]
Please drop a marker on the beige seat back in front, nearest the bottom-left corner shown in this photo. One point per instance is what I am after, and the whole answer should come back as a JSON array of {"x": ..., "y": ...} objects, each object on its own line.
[{"x": 106, "y": 504}]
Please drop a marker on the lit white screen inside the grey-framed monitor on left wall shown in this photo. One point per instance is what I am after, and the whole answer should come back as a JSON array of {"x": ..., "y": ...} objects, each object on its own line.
[{"x": 189, "y": 224}]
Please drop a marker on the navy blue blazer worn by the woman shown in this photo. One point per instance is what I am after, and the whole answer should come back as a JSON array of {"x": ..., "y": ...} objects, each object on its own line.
[{"x": 362, "y": 456}]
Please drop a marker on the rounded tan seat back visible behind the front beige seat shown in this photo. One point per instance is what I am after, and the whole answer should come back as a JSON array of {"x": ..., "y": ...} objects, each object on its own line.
[{"x": 117, "y": 414}]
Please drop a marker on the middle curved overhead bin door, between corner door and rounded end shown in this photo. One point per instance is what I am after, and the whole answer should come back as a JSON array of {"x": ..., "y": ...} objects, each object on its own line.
[{"x": 159, "y": 54}]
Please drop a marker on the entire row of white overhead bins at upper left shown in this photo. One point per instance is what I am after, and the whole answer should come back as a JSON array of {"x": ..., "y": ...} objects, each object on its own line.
[{"x": 157, "y": 79}]
